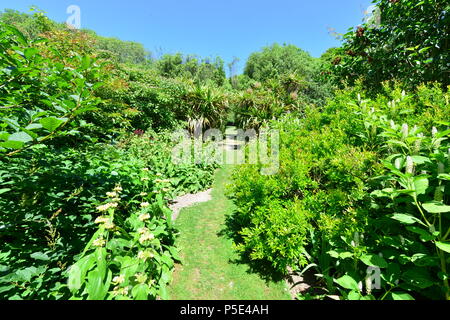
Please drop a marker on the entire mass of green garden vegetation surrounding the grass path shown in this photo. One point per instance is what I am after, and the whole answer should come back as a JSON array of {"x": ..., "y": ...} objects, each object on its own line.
[{"x": 361, "y": 200}]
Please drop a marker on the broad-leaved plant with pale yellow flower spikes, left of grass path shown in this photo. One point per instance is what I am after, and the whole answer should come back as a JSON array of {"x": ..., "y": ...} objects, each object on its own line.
[{"x": 130, "y": 260}]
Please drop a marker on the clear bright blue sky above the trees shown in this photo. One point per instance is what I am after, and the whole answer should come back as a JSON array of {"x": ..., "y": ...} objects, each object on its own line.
[{"x": 226, "y": 28}]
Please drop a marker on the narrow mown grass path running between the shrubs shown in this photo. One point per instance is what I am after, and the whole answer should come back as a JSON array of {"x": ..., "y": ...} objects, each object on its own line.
[{"x": 210, "y": 270}]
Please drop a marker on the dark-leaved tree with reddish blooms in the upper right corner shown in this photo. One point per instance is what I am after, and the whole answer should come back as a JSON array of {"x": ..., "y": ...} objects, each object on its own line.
[{"x": 410, "y": 44}]
